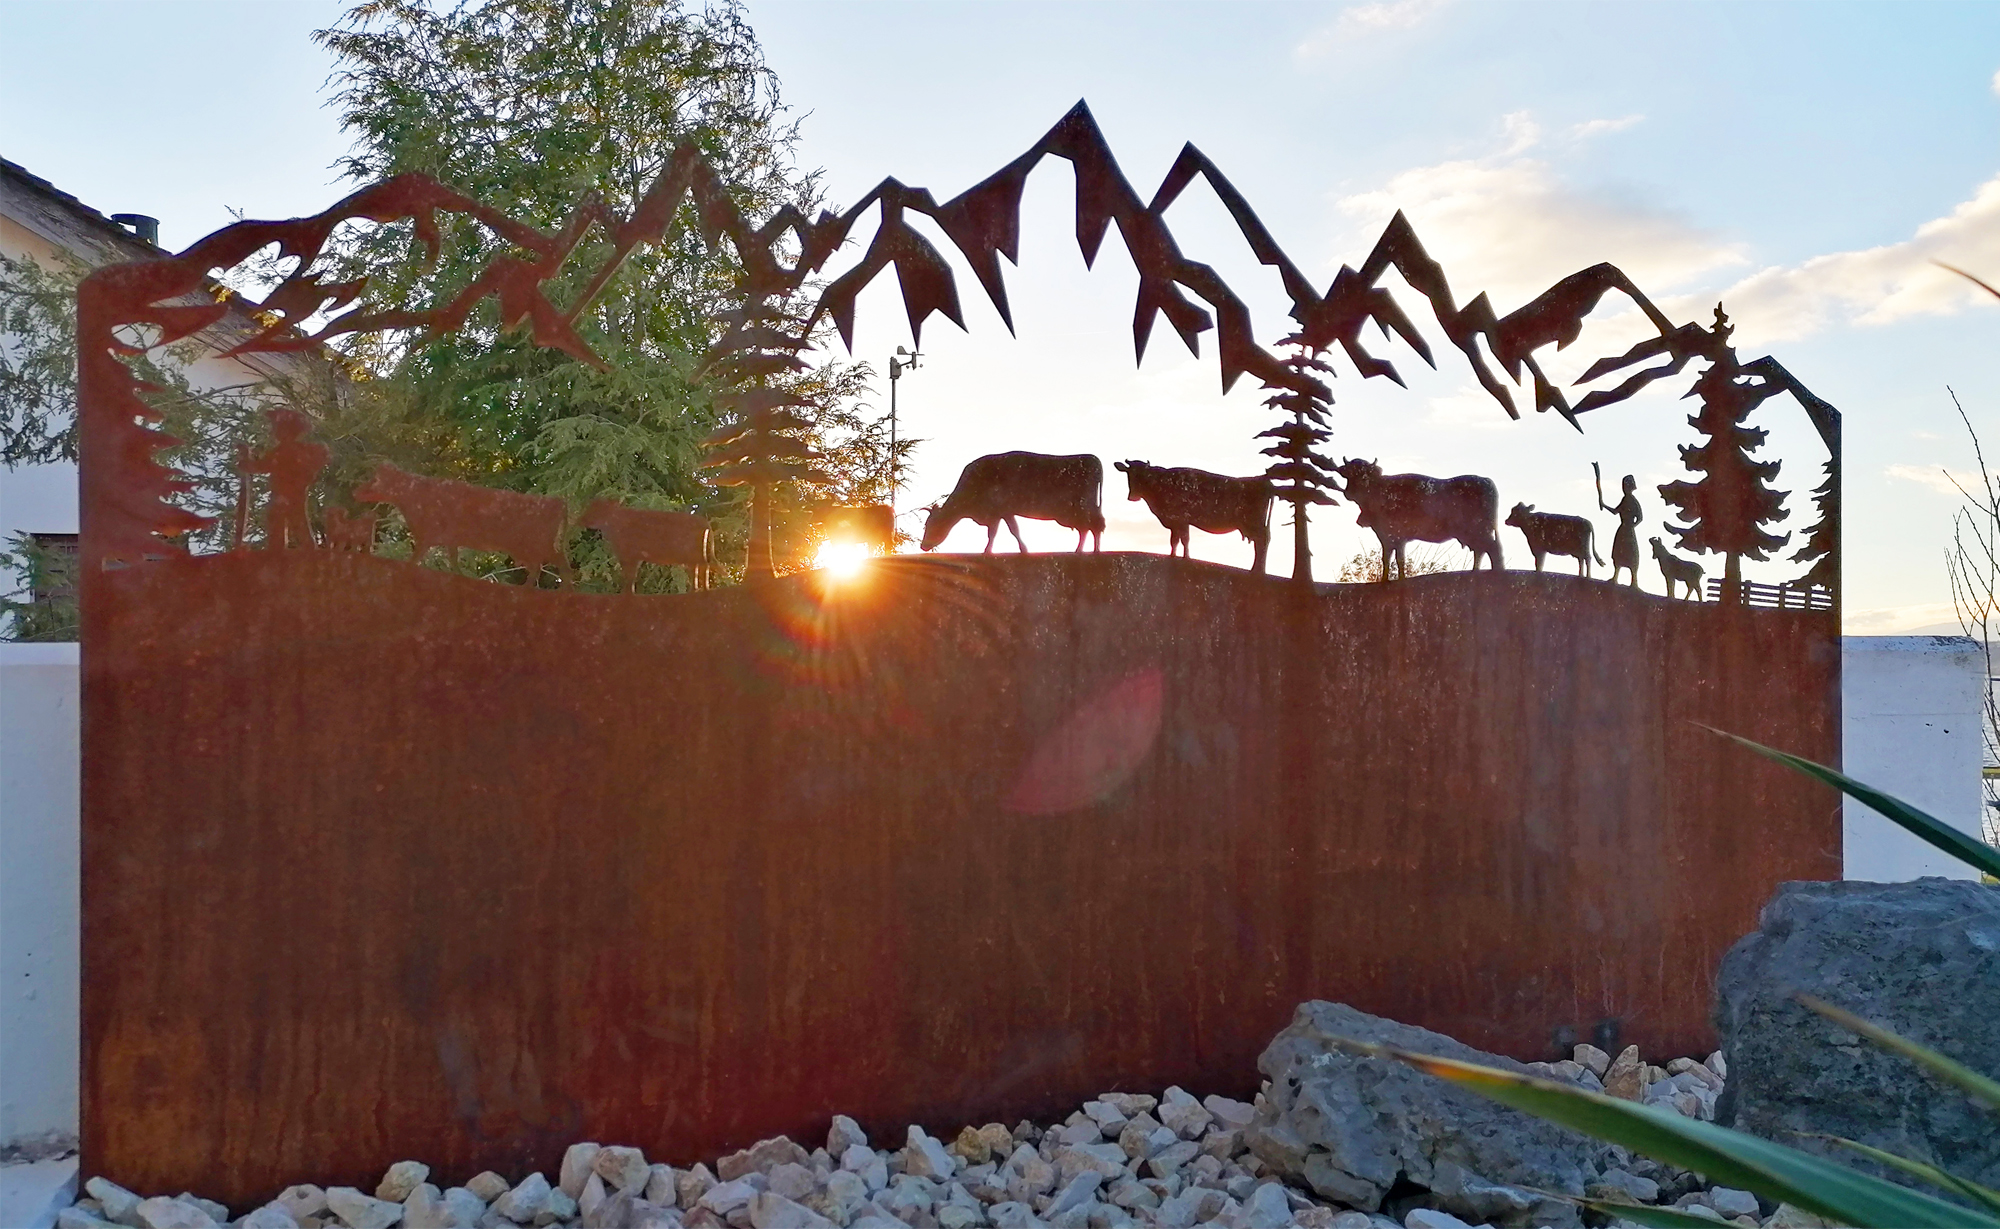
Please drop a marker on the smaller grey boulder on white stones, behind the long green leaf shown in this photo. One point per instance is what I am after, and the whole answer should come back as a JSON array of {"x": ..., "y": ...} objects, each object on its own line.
[{"x": 1353, "y": 1128}]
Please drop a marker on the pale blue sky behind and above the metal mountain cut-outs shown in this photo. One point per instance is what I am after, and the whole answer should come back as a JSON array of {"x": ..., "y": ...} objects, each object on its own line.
[{"x": 1805, "y": 165}]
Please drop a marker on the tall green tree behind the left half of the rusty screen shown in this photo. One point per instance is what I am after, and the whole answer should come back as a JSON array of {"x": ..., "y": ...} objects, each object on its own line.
[{"x": 543, "y": 109}]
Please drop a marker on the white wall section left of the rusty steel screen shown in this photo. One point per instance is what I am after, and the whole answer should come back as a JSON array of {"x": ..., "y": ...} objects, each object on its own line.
[{"x": 39, "y": 896}]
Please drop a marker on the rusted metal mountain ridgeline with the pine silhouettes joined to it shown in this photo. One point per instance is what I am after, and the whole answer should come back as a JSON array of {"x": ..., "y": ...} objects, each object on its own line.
[{"x": 137, "y": 493}]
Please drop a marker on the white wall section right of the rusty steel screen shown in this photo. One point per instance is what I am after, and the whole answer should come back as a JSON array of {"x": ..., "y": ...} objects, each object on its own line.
[{"x": 1911, "y": 730}]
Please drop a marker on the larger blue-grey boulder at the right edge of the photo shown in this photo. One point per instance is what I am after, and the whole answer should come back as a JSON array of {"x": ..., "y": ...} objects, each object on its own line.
[{"x": 1917, "y": 958}]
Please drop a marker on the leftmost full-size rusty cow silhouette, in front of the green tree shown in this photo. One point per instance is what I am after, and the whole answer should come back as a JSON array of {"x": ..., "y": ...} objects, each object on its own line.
[{"x": 465, "y": 517}]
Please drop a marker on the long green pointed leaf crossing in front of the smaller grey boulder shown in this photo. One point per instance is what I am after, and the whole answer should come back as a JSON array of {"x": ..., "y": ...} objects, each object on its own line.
[{"x": 1723, "y": 1156}]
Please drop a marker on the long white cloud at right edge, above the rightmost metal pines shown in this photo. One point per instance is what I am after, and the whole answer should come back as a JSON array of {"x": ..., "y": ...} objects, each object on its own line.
[{"x": 1879, "y": 285}]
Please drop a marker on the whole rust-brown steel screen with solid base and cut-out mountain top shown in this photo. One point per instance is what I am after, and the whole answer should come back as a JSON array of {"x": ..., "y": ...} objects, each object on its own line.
[{"x": 385, "y": 862}]
